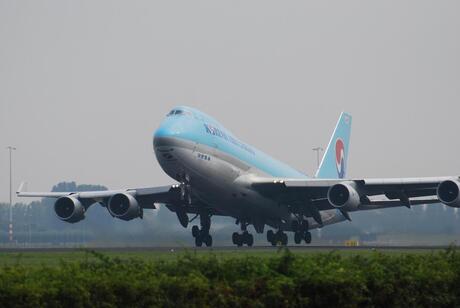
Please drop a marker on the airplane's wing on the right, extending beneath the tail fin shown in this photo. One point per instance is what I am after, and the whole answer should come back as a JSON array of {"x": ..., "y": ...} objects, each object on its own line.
[{"x": 373, "y": 193}]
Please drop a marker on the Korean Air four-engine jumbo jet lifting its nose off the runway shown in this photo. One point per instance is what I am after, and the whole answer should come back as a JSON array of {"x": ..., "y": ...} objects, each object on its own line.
[{"x": 219, "y": 175}]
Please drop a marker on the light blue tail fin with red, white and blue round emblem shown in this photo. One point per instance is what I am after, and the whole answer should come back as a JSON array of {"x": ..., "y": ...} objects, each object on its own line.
[{"x": 334, "y": 163}]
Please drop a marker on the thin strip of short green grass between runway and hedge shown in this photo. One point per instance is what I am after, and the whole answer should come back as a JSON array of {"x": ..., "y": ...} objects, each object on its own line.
[{"x": 55, "y": 257}]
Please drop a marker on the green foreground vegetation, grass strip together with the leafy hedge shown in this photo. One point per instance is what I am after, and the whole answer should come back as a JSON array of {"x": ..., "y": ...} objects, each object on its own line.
[{"x": 258, "y": 277}]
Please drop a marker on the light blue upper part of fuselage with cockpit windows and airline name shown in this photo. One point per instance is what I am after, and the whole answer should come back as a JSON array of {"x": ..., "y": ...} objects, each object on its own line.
[{"x": 193, "y": 125}]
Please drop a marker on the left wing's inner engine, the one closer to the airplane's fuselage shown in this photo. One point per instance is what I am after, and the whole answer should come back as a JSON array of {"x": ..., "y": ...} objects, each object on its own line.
[{"x": 124, "y": 207}]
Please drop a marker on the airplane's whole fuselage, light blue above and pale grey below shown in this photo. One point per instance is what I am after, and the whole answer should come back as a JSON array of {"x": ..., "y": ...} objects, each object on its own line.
[{"x": 195, "y": 148}]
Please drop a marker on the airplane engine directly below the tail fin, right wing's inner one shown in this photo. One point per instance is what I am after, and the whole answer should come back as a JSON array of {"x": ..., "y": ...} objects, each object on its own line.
[{"x": 344, "y": 196}]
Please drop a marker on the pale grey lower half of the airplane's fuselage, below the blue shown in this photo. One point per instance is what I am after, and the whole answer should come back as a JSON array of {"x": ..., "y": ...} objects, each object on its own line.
[{"x": 221, "y": 181}]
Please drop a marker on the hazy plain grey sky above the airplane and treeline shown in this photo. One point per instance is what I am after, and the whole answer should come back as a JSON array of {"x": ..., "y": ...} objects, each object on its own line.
[{"x": 84, "y": 84}]
